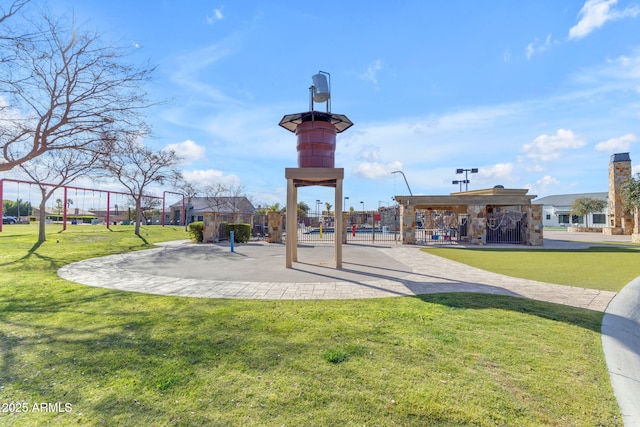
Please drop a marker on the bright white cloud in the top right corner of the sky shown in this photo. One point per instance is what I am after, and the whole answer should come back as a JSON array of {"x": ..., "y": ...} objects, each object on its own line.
[{"x": 595, "y": 13}]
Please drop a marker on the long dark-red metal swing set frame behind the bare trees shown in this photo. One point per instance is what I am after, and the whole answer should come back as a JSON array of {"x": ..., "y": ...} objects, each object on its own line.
[{"x": 65, "y": 199}]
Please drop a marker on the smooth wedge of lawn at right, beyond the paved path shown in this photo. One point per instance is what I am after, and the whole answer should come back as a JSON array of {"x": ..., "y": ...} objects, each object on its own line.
[{"x": 607, "y": 268}]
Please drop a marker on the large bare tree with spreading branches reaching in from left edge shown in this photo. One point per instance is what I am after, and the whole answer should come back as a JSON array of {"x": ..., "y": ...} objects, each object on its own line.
[{"x": 66, "y": 88}]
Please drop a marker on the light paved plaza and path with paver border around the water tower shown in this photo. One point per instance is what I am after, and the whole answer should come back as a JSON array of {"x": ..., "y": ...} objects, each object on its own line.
[{"x": 377, "y": 271}]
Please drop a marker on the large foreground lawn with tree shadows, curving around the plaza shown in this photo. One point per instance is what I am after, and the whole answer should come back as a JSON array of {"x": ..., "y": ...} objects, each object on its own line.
[{"x": 131, "y": 359}]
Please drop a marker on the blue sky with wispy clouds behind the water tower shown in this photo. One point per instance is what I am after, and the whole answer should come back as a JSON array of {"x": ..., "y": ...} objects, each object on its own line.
[{"x": 534, "y": 93}]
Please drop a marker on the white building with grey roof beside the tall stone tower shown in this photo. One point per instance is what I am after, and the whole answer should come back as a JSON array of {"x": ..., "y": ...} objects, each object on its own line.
[{"x": 556, "y": 211}]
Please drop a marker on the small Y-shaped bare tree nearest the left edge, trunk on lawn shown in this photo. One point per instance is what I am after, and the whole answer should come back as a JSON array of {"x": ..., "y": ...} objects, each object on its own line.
[{"x": 55, "y": 169}]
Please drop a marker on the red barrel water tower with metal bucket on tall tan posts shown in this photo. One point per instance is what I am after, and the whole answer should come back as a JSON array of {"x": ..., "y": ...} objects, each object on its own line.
[{"x": 316, "y": 132}]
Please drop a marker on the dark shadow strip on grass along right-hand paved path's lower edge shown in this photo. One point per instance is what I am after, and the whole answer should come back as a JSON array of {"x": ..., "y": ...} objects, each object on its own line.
[{"x": 584, "y": 318}]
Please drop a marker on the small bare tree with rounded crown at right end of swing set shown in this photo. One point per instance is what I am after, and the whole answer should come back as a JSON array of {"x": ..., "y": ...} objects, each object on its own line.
[{"x": 137, "y": 167}]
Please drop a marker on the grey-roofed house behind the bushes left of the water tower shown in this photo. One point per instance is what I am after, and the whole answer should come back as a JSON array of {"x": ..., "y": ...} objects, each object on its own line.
[{"x": 230, "y": 209}]
